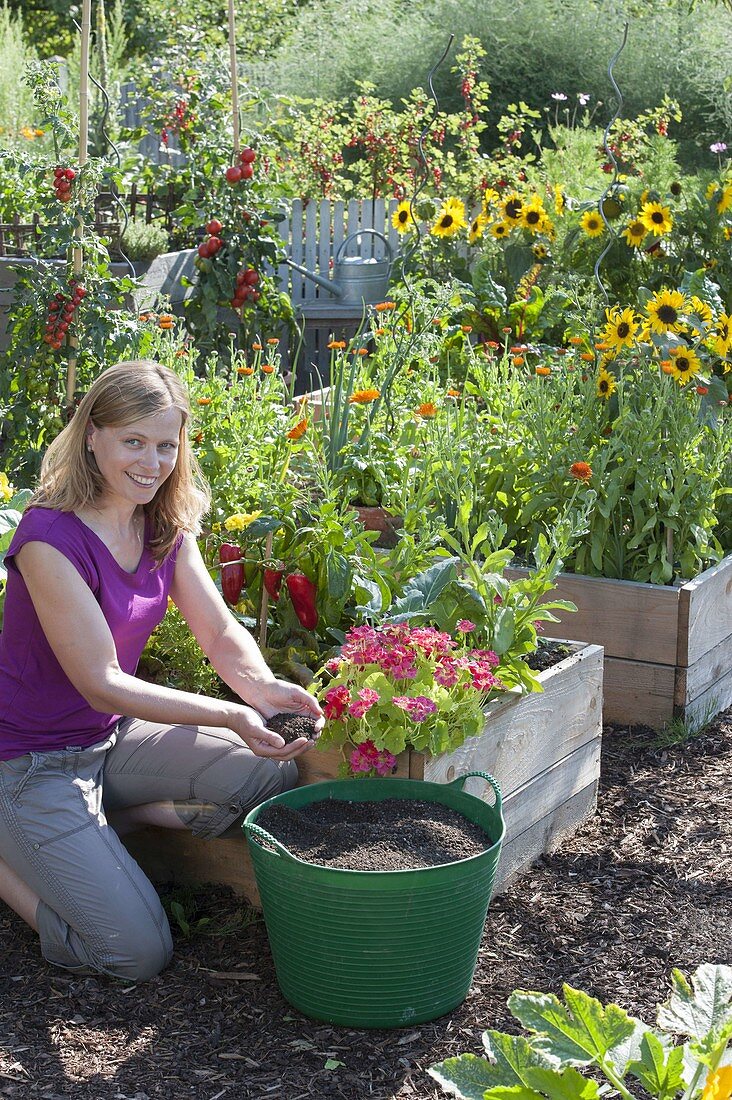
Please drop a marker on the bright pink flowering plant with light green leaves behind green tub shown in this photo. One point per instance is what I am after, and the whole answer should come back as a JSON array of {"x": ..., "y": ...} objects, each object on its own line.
[{"x": 397, "y": 687}]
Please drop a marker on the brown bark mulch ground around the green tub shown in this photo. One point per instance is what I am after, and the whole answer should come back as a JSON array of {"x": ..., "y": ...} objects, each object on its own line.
[{"x": 644, "y": 887}]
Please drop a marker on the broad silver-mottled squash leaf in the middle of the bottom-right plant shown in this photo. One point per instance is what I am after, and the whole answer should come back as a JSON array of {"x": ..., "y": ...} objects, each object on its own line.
[{"x": 578, "y": 1032}]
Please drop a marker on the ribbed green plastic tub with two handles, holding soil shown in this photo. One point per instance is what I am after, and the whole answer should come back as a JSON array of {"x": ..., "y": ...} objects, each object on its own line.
[{"x": 377, "y": 949}]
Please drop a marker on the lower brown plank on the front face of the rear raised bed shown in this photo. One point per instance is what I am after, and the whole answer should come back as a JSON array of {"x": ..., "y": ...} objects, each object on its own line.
[{"x": 638, "y": 691}]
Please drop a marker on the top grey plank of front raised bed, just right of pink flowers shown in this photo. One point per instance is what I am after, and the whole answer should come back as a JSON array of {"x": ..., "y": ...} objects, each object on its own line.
[{"x": 545, "y": 729}]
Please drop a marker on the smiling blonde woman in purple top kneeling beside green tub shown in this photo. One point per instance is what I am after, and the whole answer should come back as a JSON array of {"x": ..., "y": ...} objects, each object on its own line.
[{"x": 110, "y": 534}]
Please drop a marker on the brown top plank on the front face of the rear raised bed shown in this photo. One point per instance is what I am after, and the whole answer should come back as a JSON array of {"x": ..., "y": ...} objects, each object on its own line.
[{"x": 631, "y": 620}]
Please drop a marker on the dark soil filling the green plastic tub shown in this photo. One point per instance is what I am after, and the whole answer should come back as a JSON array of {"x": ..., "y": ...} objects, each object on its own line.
[{"x": 394, "y": 835}]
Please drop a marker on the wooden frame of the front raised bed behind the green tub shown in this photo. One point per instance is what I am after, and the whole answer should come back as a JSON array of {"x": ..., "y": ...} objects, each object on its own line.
[{"x": 544, "y": 750}]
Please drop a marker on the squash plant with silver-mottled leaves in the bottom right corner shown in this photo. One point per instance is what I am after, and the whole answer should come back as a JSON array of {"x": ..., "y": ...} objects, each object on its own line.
[{"x": 578, "y": 1031}]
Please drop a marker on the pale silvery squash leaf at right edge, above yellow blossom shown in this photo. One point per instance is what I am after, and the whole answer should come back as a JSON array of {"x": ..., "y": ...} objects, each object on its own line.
[{"x": 702, "y": 1009}]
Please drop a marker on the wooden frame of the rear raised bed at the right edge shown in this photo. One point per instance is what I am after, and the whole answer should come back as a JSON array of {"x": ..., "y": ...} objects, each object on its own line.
[{"x": 669, "y": 651}]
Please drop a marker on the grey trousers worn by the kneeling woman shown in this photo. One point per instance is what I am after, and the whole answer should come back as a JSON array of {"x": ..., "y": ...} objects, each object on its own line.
[{"x": 99, "y": 911}]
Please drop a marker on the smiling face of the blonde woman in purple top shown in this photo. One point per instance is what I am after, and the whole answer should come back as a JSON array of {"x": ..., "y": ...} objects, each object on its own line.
[{"x": 136, "y": 459}]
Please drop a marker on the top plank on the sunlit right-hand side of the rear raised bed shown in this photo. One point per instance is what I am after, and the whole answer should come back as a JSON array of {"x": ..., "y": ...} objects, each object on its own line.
[{"x": 705, "y": 612}]
